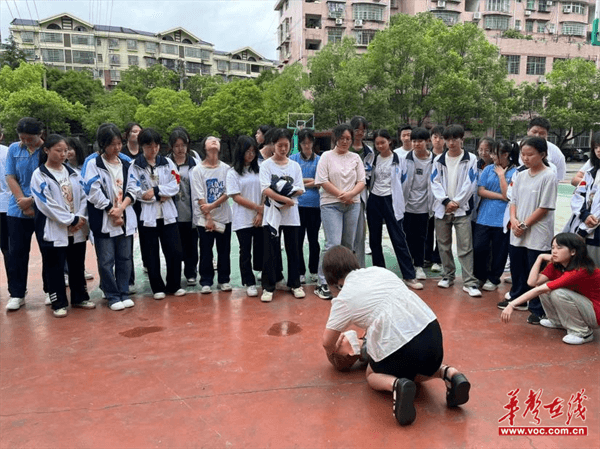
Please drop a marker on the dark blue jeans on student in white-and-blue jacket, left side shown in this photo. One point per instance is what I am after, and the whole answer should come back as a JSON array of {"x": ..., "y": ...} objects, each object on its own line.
[{"x": 114, "y": 266}]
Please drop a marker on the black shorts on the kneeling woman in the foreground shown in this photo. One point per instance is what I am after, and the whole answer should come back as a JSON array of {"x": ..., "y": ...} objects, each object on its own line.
[{"x": 422, "y": 355}]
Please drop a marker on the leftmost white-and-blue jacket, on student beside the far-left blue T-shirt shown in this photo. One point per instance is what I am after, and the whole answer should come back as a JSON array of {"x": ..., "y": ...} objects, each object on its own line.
[{"x": 52, "y": 213}]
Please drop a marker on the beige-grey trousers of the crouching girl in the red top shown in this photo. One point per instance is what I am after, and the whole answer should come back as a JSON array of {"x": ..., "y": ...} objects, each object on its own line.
[{"x": 570, "y": 310}]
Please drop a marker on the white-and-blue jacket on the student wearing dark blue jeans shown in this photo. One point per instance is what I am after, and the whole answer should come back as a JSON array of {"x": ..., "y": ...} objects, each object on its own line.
[{"x": 98, "y": 187}]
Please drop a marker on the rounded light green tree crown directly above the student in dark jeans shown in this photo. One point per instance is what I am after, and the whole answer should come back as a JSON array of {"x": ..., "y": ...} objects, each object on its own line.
[{"x": 115, "y": 107}]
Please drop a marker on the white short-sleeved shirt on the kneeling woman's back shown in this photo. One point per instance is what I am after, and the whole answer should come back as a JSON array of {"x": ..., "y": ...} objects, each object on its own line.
[{"x": 375, "y": 299}]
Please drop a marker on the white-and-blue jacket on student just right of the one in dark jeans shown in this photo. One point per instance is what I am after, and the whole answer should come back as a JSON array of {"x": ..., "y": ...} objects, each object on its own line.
[{"x": 168, "y": 186}]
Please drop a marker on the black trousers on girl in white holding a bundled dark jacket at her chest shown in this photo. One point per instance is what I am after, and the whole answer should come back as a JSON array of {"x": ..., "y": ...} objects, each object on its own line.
[{"x": 272, "y": 271}]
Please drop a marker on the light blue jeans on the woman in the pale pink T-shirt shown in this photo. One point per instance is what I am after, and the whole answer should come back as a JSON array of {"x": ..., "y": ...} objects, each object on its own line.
[{"x": 339, "y": 225}]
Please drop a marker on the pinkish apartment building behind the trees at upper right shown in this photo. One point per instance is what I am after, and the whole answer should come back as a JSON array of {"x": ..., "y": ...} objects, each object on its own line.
[{"x": 552, "y": 30}]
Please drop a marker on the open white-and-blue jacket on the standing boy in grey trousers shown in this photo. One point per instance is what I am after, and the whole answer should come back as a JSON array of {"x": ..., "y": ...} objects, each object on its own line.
[{"x": 466, "y": 185}]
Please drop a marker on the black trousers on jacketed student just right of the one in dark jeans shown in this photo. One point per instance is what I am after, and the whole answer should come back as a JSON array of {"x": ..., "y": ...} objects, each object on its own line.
[{"x": 167, "y": 236}]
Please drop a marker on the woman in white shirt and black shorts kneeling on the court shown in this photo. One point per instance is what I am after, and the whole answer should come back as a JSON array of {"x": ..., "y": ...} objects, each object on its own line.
[{"x": 403, "y": 336}]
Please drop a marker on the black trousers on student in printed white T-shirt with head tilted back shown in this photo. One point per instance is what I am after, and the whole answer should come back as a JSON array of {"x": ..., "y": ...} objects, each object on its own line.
[{"x": 223, "y": 243}]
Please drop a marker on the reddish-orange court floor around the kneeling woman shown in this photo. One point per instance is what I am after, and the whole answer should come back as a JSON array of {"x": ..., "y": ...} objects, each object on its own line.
[{"x": 227, "y": 371}]
